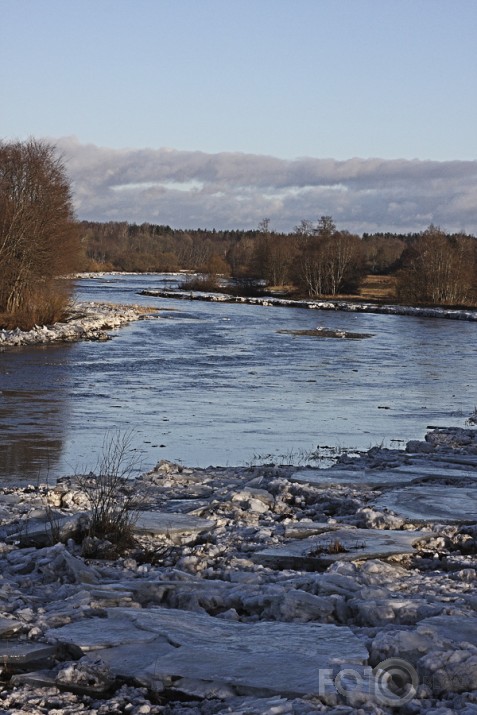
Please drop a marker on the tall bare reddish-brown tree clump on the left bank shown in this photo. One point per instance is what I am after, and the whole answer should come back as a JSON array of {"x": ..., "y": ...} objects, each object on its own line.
[{"x": 38, "y": 235}]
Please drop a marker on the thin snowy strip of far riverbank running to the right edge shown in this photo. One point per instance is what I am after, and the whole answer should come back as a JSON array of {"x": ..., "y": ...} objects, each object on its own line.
[{"x": 340, "y": 305}]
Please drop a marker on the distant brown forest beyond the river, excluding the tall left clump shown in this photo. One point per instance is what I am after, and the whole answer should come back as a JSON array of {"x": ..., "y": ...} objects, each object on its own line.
[{"x": 315, "y": 260}]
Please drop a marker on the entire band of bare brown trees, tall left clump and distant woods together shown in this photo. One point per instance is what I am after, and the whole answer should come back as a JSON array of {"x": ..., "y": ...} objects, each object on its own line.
[{"x": 41, "y": 241}]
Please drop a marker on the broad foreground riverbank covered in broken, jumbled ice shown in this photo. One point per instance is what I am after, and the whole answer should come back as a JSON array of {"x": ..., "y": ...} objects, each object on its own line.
[{"x": 252, "y": 590}]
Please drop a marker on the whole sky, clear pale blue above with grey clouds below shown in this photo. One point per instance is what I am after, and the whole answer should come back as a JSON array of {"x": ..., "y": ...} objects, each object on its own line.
[{"x": 220, "y": 113}]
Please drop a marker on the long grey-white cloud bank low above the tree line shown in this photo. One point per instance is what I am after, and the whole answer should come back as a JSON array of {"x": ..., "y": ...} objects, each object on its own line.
[{"x": 191, "y": 189}]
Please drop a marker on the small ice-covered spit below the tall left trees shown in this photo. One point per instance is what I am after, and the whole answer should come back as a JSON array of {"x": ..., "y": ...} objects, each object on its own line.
[{"x": 85, "y": 321}]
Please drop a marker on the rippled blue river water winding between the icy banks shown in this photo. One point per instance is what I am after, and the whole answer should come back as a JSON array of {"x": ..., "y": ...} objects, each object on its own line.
[{"x": 216, "y": 383}]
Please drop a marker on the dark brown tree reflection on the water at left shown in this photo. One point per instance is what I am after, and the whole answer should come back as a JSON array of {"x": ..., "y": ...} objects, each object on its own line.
[{"x": 34, "y": 412}]
